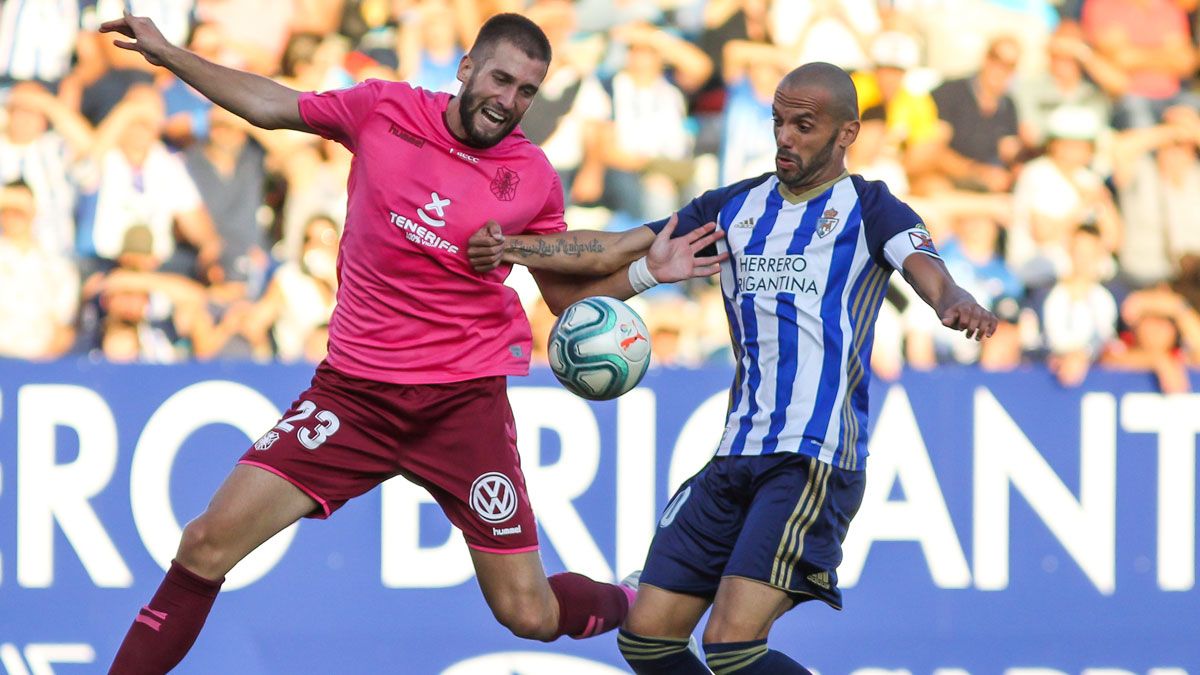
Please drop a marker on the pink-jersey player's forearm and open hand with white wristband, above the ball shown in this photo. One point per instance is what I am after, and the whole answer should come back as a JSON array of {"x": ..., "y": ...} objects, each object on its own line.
[{"x": 668, "y": 260}]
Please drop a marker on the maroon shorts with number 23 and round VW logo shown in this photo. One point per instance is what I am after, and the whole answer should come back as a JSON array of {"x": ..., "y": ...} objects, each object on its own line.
[{"x": 344, "y": 437}]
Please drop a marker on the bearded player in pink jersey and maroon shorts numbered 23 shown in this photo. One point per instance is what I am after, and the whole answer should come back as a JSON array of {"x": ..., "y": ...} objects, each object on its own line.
[{"x": 421, "y": 345}]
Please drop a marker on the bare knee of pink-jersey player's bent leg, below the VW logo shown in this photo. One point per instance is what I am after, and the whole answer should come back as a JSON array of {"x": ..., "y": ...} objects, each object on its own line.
[{"x": 514, "y": 584}]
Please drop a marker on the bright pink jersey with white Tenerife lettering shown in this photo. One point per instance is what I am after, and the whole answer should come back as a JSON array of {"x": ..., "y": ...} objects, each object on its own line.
[{"x": 410, "y": 308}]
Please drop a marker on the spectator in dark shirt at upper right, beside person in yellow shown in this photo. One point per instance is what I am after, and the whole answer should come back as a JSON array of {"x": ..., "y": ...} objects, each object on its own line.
[{"x": 981, "y": 118}]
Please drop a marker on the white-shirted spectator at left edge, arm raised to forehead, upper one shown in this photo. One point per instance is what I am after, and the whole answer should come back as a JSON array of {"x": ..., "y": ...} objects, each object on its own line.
[{"x": 41, "y": 142}]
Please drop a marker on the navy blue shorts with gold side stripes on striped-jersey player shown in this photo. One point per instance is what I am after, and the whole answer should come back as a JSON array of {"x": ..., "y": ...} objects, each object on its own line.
[{"x": 779, "y": 519}]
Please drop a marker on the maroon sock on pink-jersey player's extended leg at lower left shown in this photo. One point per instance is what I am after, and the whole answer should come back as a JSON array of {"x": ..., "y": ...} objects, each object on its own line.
[{"x": 166, "y": 629}]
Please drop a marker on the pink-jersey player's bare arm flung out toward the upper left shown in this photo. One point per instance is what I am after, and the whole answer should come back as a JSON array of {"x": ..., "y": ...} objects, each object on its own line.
[{"x": 256, "y": 99}]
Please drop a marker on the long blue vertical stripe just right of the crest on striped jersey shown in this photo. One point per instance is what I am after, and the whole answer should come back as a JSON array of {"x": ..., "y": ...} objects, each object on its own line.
[{"x": 831, "y": 320}]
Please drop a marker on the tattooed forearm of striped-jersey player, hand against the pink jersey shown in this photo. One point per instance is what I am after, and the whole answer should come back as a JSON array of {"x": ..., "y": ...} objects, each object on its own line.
[{"x": 577, "y": 253}]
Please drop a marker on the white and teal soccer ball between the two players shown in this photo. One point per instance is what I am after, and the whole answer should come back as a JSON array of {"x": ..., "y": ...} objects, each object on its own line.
[{"x": 599, "y": 349}]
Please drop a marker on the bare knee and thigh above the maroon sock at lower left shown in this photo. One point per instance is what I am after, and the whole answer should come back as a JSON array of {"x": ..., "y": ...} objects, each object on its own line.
[{"x": 250, "y": 507}]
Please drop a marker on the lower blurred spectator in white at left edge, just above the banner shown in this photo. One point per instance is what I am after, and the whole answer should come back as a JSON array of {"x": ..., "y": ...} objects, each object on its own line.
[{"x": 41, "y": 288}]
